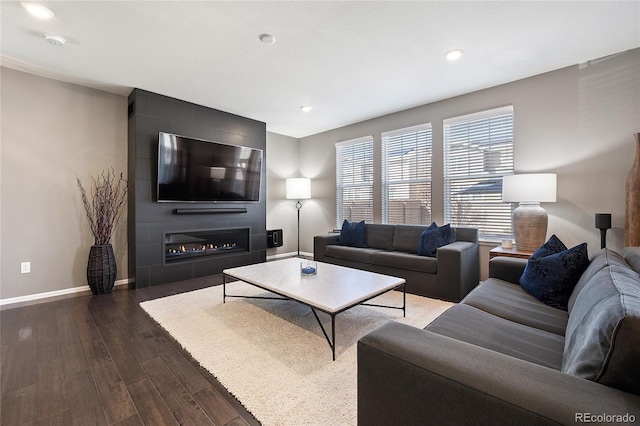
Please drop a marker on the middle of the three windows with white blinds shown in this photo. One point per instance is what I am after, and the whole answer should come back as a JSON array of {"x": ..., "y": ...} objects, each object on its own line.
[{"x": 406, "y": 175}]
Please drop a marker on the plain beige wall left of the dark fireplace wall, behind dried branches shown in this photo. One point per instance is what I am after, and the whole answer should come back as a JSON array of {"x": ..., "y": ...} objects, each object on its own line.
[{"x": 51, "y": 133}]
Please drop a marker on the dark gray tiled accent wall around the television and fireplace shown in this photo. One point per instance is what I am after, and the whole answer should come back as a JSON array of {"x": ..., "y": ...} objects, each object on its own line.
[{"x": 149, "y": 114}]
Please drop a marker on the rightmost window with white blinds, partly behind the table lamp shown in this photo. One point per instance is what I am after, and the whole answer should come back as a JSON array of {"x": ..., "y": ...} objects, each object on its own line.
[{"x": 478, "y": 151}]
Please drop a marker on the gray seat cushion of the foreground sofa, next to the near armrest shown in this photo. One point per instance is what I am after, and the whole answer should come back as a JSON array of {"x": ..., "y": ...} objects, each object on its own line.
[{"x": 472, "y": 325}]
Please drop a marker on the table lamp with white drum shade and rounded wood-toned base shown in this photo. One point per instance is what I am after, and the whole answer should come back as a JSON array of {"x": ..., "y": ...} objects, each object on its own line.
[{"x": 529, "y": 219}]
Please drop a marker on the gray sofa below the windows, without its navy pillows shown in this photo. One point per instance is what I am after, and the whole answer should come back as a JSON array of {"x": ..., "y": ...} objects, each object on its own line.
[{"x": 393, "y": 250}]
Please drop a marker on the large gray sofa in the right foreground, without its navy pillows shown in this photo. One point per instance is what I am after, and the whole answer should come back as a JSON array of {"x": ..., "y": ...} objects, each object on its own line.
[{"x": 502, "y": 357}]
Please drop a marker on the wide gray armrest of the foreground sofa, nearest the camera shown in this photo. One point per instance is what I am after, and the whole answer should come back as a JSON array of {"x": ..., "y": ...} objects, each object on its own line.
[{"x": 411, "y": 376}]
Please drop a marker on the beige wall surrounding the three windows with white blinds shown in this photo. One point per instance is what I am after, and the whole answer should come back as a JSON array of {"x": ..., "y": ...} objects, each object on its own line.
[{"x": 577, "y": 122}]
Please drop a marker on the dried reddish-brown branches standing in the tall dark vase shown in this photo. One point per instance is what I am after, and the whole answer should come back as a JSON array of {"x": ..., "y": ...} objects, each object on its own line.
[{"x": 104, "y": 204}]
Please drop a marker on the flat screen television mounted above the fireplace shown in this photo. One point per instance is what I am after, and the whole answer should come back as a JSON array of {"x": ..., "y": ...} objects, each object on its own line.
[{"x": 195, "y": 170}]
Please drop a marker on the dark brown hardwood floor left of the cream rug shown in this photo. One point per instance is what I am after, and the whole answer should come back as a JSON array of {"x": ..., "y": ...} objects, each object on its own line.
[{"x": 101, "y": 360}]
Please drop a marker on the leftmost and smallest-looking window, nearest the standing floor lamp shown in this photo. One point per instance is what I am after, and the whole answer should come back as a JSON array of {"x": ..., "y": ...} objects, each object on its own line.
[{"x": 354, "y": 180}]
